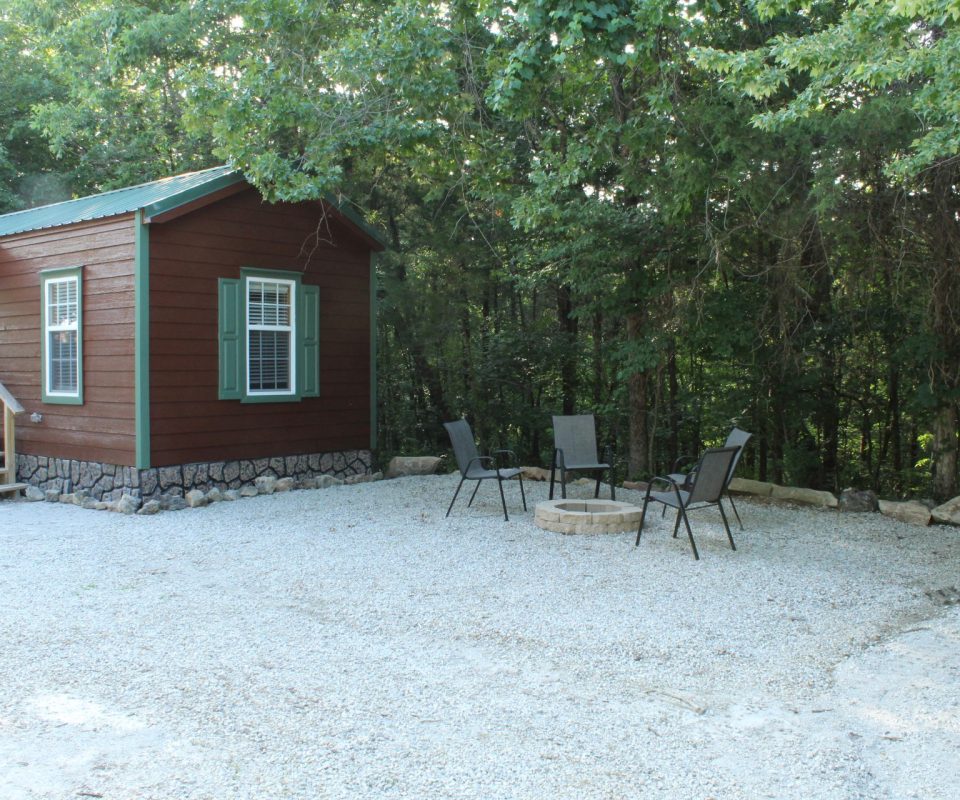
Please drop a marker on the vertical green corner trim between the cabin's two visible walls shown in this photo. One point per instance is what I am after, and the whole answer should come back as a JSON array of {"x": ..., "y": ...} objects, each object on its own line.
[{"x": 141, "y": 335}]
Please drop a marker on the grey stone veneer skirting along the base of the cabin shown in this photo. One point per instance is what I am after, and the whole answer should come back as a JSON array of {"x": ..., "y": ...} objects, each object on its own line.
[{"x": 109, "y": 482}]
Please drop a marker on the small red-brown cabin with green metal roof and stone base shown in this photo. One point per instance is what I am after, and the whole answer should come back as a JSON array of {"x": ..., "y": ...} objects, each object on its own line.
[{"x": 186, "y": 334}]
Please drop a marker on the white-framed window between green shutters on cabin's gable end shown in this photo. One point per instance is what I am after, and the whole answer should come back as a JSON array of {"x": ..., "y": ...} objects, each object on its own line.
[{"x": 271, "y": 322}]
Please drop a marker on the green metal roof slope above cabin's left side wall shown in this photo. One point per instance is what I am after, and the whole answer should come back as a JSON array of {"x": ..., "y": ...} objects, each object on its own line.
[{"x": 153, "y": 197}]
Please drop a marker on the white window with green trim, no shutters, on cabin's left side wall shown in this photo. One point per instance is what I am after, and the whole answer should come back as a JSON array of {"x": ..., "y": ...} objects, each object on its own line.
[{"x": 61, "y": 346}]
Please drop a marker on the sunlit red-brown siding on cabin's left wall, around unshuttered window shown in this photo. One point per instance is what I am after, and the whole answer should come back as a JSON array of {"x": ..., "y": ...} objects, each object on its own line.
[{"x": 102, "y": 429}]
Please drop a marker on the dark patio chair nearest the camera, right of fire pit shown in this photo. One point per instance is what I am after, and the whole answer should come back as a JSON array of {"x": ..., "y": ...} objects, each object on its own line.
[{"x": 704, "y": 488}]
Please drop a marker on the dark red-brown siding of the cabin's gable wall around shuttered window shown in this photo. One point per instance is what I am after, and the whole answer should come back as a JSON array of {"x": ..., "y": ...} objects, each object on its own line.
[{"x": 187, "y": 256}]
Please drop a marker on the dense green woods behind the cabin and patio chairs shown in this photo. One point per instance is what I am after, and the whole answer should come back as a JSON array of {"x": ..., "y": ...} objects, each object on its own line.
[{"x": 678, "y": 214}]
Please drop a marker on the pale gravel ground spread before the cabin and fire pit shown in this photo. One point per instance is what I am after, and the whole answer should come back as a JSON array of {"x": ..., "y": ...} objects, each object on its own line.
[{"x": 353, "y": 643}]
